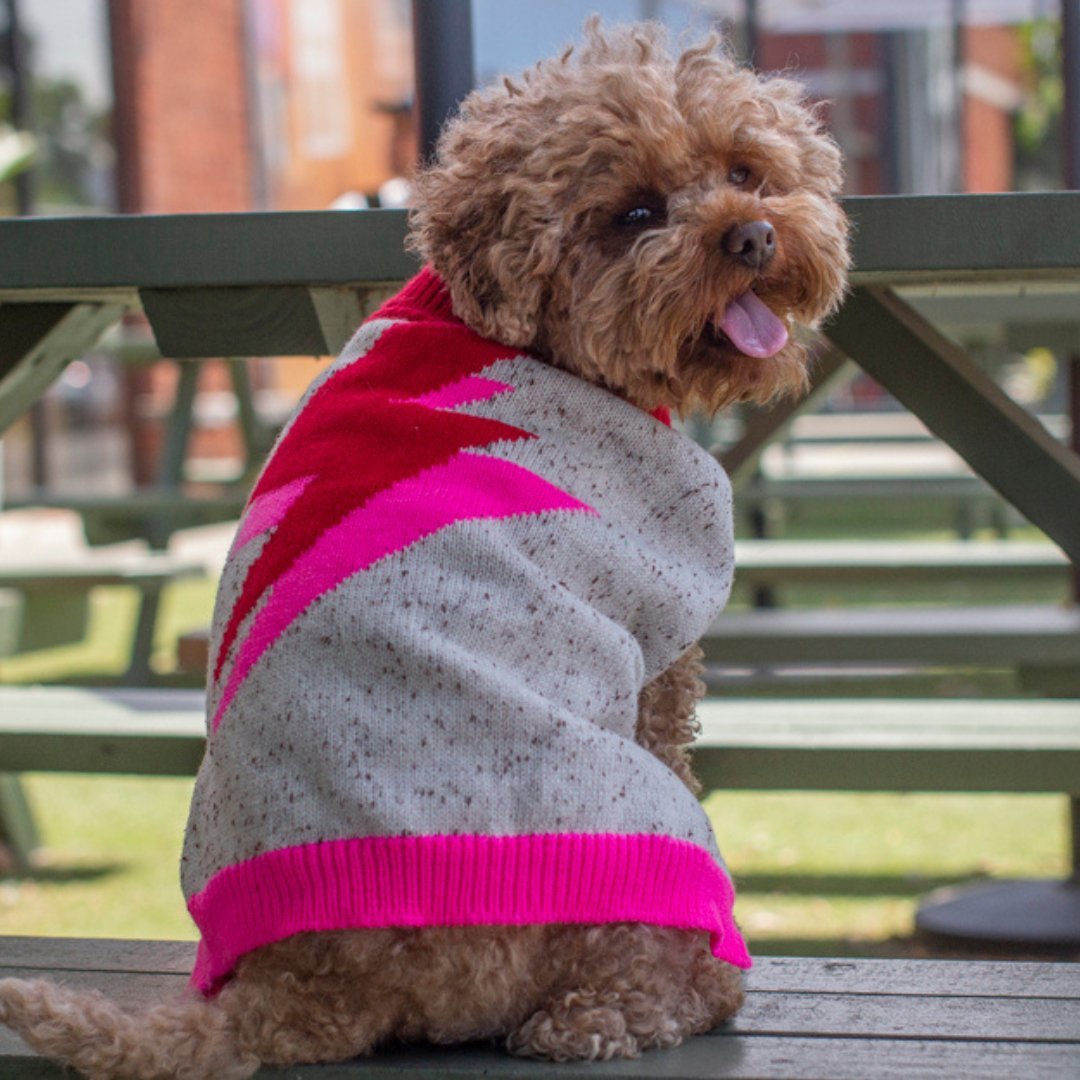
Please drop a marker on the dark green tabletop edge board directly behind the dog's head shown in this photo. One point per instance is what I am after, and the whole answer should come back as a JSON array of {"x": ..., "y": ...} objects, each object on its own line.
[{"x": 921, "y": 238}]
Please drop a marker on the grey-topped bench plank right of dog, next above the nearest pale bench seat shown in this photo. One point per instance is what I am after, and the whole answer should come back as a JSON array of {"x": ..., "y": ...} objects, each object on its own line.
[{"x": 980, "y": 637}]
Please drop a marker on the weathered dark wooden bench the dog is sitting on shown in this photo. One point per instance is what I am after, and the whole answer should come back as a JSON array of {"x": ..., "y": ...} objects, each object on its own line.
[{"x": 803, "y": 1018}]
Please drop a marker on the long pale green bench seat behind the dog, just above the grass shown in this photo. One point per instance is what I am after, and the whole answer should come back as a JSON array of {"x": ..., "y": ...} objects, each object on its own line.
[{"x": 858, "y": 745}]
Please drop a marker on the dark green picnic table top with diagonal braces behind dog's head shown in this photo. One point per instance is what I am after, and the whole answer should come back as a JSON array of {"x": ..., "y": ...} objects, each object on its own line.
[{"x": 299, "y": 283}]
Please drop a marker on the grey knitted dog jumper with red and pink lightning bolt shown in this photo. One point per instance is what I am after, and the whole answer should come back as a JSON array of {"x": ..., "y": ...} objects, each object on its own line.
[{"x": 454, "y": 577}]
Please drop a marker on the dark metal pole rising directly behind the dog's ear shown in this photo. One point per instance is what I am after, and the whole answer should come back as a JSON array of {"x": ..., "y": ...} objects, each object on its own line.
[{"x": 443, "y": 50}]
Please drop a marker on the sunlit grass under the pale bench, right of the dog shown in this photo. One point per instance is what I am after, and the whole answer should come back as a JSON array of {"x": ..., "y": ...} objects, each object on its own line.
[{"x": 844, "y": 874}]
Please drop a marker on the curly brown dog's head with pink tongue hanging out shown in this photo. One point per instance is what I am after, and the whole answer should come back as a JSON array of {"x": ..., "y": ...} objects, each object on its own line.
[{"x": 655, "y": 225}]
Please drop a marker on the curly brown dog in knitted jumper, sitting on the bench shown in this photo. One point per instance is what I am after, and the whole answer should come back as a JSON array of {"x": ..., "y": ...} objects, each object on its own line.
[{"x": 448, "y": 793}]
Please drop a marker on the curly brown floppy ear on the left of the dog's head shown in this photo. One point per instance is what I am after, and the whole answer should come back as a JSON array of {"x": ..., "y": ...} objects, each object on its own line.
[{"x": 484, "y": 224}]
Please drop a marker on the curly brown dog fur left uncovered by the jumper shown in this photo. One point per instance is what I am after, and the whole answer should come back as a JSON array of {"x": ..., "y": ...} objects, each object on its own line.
[{"x": 520, "y": 214}]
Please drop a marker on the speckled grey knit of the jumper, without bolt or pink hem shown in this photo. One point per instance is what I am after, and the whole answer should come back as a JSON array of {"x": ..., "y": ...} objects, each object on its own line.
[{"x": 484, "y": 679}]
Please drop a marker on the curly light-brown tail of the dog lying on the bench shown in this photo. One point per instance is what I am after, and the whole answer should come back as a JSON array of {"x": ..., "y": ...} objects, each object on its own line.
[{"x": 186, "y": 1039}]
